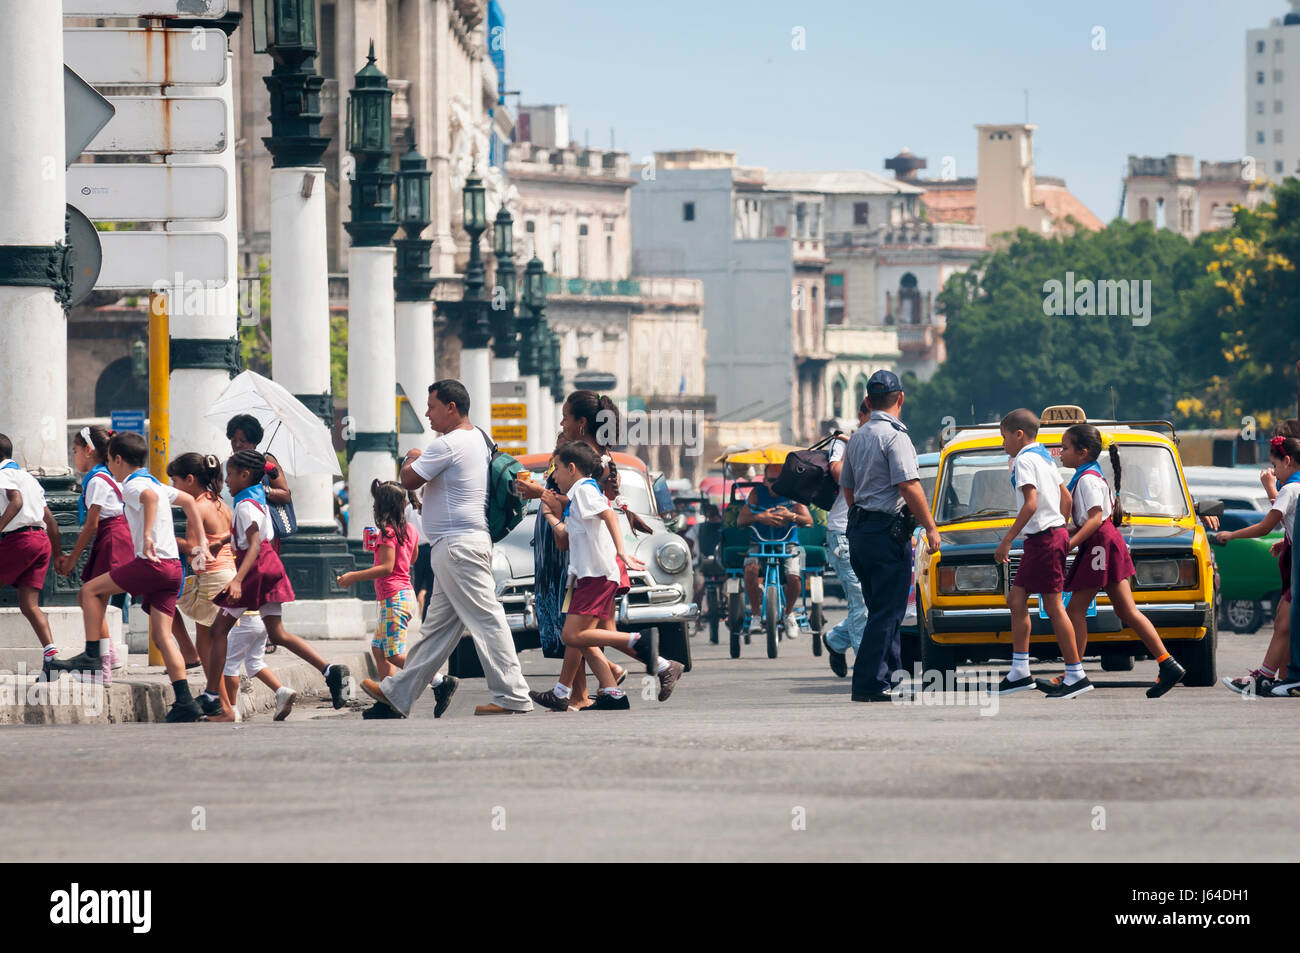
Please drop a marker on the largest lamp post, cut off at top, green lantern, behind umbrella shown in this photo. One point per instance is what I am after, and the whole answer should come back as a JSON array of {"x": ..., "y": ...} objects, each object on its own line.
[{"x": 301, "y": 327}]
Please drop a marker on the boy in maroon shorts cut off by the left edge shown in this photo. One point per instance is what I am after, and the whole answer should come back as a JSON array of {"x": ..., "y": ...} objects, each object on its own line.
[{"x": 28, "y": 538}]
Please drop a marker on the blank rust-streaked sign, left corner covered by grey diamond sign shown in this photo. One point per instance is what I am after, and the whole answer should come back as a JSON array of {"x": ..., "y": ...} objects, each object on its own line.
[{"x": 164, "y": 124}]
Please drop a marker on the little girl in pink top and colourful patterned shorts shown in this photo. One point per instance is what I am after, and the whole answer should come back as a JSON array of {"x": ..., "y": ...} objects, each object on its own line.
[{"x": 395, "y": 552}]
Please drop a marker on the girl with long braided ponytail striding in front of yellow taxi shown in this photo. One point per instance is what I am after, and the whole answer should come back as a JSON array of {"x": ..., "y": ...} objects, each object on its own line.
[{"x": 1103, "y": 561}]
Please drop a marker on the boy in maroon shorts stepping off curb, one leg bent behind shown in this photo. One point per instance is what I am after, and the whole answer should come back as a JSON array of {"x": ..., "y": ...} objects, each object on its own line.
[{"x": 154, "y": 574}]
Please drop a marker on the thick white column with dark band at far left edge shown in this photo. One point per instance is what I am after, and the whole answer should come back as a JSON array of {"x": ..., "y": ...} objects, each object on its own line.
[{"x": 34, "y": 356}]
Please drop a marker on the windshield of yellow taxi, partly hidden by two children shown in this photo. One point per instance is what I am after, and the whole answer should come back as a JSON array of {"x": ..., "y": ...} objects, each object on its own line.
[{"x": 978, "y": 484}]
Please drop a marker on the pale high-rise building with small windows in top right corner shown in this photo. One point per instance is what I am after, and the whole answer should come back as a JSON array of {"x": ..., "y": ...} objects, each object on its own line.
[{"x": 1273, "y": 97}]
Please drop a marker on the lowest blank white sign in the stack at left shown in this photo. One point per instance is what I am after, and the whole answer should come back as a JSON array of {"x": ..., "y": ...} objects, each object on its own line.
[{"x": 138, "y": 261}]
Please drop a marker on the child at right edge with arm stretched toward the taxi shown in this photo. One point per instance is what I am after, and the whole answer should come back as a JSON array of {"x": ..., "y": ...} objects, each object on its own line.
[{"x": 1285, "y": 456}]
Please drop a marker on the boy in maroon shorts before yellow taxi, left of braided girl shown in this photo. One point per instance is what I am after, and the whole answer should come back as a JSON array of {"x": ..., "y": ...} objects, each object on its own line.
[{"x": 1047, "y": 543}]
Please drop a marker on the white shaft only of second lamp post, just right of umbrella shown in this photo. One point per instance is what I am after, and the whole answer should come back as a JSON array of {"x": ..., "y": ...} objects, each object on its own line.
[{"x": 371, "y": 372}]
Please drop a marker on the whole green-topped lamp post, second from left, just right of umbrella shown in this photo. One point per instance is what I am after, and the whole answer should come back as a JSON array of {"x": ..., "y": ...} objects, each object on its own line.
[{"x": 371, "y": 331}]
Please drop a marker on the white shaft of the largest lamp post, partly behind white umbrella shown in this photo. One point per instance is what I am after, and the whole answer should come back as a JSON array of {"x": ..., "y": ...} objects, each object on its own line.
[{"x": 300, "y": 346}]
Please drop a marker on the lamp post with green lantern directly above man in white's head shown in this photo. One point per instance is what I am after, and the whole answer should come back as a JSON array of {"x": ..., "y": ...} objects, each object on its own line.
[{"x": 414, "y": 287}]
